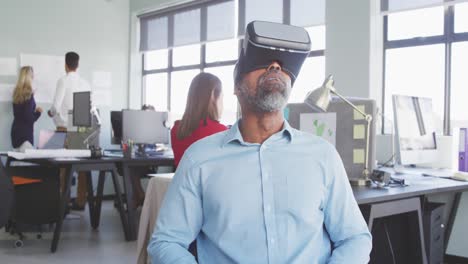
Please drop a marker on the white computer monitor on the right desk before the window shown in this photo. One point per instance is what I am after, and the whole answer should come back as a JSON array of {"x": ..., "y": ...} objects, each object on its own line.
[{"x": 414, "y": 130}]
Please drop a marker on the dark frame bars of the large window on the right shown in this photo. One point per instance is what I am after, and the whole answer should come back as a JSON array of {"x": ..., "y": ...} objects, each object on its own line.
[{"x": 447, "y": 38}]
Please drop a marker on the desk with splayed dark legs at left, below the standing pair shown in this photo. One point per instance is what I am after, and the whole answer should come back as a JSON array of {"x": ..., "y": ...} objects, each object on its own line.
[{"x": 94, "y": 203}]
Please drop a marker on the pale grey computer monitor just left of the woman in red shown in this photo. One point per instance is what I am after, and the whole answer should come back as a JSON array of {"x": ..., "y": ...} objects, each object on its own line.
[{"x": 144, "y": 127}]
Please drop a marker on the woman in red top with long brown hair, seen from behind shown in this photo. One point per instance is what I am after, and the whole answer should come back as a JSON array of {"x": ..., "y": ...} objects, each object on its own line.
[{"x": 202, "y": 112}]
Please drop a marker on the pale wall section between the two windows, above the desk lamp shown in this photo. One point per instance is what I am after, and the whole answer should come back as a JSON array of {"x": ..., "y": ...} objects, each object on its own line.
[{"x": 353, "y": 52}]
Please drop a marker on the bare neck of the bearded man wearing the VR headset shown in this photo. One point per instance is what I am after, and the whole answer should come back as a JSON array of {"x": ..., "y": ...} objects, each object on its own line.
[{"x": 258, "y": 127}]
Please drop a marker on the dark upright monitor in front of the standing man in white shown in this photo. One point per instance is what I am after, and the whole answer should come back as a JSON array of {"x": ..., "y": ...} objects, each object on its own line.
[{"x": 82, "y": 109}]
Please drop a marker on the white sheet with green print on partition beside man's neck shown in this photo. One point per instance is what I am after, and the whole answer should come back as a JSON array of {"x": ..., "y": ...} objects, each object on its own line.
[{"x": 319, "y": 124}]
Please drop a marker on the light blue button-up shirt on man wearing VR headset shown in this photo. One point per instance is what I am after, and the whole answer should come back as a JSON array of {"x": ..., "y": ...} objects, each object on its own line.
[{"x": 287, "y": 200}]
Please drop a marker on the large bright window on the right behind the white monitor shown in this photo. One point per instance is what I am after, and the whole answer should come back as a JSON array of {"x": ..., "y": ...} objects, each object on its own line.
[{"x": 420, "y": 58}]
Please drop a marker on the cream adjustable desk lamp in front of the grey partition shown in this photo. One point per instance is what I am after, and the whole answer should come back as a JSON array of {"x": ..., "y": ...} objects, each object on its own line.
[{"x": 320, "y": 98}]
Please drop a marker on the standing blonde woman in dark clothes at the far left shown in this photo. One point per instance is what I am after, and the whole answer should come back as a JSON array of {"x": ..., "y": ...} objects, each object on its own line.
[{"x": 25, "y": 111}]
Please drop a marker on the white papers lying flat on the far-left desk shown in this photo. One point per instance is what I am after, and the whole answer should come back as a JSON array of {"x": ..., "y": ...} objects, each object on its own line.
[{"x": 50, "y": 153}]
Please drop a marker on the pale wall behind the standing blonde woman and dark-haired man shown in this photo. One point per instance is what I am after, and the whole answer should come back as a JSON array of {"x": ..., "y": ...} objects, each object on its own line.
[{"x": 97, "y": 29}]
